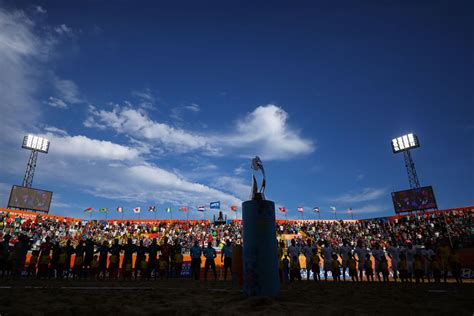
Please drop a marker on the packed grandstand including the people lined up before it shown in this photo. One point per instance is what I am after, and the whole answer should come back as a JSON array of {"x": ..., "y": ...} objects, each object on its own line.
[{"x": 398, "y": 246}]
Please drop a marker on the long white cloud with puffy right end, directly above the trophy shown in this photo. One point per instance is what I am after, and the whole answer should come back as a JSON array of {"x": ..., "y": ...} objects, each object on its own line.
[{"x": 264, "y": 132}]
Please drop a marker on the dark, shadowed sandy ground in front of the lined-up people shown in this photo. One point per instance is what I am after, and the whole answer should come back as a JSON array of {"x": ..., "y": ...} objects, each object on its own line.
[{"x": 185, "y": 297}]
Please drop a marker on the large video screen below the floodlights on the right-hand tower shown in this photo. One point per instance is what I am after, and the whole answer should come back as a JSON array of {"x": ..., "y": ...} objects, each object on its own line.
[{"x": 414, "y": 200}]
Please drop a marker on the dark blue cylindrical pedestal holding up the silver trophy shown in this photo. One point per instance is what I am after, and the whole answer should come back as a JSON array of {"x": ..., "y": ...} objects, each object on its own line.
[{"x": 260, "y": 249}]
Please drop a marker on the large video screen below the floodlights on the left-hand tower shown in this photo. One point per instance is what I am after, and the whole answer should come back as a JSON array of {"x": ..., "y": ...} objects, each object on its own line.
[{"x": 30, "y": 199}]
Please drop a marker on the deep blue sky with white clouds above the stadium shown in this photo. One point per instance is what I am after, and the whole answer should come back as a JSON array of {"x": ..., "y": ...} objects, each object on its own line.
[{"x": 164, "y": 104}]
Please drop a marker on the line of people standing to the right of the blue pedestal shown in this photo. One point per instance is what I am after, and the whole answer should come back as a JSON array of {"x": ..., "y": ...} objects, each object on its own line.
[{"x": 403, "y": 263}]
